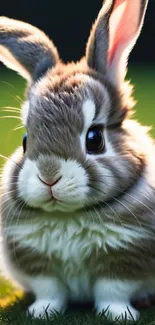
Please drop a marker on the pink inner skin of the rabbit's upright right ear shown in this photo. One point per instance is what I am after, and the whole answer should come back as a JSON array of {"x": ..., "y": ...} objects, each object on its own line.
[{"x": 123, "y": 26}]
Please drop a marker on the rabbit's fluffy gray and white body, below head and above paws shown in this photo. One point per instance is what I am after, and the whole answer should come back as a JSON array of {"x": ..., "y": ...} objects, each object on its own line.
[{"x": 78, "y": 249}]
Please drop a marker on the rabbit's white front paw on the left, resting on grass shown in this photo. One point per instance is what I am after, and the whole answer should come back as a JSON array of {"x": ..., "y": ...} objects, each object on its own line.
[{"x": 42, "y": 307}]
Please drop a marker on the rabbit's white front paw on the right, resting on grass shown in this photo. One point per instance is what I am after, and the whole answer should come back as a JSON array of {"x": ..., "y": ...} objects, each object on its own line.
[{"x": 118, "y": 311}]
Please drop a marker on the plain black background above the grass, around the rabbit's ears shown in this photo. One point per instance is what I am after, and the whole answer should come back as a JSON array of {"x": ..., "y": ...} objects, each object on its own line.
[{"x": 68, "y": 24}]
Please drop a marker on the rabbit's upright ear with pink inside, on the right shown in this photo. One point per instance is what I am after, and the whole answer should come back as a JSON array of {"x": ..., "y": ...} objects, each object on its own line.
[{"x": 113, "y": 36}]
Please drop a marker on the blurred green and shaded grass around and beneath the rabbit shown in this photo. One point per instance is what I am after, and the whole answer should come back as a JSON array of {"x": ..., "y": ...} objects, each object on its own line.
[{"x": 12, "y": 308}]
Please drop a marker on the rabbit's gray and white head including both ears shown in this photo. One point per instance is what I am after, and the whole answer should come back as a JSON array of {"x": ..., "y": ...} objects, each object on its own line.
[{"x": 80, "y": 149}]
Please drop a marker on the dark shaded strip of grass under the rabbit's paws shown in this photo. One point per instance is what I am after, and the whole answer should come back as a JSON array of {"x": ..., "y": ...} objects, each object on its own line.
[{"x": 13, "y": 312}]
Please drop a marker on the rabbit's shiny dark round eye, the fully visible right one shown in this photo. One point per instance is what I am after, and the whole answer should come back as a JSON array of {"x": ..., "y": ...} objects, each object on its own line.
[{"x": 95, "y": 141}]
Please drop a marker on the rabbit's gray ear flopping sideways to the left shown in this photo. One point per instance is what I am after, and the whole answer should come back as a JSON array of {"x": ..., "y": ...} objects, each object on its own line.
[{"x": 26, "y": 49}]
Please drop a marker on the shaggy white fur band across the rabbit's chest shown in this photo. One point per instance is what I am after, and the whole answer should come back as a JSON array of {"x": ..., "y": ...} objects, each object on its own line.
[{"x": 72, "y": 239}]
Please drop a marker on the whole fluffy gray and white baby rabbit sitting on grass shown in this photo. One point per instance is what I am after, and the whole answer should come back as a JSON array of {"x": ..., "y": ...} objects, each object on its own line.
[{"x": 78, "y": 197}]
